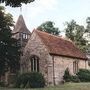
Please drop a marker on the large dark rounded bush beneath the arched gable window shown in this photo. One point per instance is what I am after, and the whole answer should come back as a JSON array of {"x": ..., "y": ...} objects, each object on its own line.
[{"x": 30, "y": 80}]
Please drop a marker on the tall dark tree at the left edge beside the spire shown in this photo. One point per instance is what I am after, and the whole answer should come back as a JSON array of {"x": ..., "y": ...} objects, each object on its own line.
[{"x": 9, "y": 51}]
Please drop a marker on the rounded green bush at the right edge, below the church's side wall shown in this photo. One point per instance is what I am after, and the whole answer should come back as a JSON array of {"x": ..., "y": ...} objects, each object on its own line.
[{"x": 84, "y": 75}]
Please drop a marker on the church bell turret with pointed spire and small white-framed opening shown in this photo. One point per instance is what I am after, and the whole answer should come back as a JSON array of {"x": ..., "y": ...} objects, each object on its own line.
[{"x": 20, "y": 32}]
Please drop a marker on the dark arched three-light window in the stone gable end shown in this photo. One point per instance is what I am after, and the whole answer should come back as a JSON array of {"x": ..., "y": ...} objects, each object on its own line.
[{"x": 34, "y": 63}]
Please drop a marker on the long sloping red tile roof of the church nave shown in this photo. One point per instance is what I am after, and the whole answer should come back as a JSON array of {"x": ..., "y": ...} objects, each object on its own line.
[{"x": 60, "y": 46}]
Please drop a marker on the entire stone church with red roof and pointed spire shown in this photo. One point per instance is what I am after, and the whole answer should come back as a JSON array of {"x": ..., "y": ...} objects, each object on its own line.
[{"x": 47, "y": 54}]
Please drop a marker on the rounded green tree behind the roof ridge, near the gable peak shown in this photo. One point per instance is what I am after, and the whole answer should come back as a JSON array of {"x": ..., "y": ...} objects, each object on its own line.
[{"x": 49, "y": 28}]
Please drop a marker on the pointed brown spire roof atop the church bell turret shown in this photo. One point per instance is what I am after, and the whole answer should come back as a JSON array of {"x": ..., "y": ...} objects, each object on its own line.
[{"x": 20, "y": 26}]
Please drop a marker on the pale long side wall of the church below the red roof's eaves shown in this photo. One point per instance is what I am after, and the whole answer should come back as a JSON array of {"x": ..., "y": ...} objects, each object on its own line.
[{"x": 61, "y": 63}]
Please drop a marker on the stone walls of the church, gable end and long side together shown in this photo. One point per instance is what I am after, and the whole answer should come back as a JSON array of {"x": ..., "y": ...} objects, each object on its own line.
[{"x": 52, "y": 67}]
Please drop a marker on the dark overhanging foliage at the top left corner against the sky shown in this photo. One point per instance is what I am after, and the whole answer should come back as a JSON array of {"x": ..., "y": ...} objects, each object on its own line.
[{"x": 15, "y": 3}]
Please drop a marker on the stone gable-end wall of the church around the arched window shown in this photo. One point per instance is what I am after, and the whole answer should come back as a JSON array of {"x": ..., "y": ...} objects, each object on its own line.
[{"x": 36, "y": 47}]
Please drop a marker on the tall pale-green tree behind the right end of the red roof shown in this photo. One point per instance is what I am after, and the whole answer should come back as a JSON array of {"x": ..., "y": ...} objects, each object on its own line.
[{"x": 76, "y": 33}]
